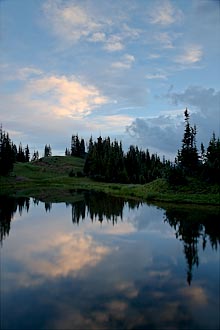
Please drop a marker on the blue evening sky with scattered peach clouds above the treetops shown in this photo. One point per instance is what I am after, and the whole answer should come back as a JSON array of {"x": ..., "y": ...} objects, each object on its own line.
[{"x": 125, "y": 69}]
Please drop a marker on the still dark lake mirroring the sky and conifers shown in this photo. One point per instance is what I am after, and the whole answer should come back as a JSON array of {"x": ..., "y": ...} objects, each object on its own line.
[{"x": 103, "y": 263}]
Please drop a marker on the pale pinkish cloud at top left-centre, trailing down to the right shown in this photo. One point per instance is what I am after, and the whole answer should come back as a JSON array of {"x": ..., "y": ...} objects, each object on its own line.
[{"x": 73, "y": 23}]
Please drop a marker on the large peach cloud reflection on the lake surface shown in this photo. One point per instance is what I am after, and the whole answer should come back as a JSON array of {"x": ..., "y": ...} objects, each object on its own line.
[{"x": 70, "y": 254}]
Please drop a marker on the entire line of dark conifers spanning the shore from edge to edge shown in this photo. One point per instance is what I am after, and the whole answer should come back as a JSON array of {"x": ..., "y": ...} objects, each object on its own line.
[{"x": 105, "y": 160}]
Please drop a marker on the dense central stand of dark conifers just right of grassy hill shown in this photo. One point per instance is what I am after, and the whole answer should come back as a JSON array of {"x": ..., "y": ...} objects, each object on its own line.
[{"x": 106, "y": 161}]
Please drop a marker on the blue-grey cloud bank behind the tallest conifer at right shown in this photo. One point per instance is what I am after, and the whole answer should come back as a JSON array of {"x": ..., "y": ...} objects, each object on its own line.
[{"x": 163, "y": 133}]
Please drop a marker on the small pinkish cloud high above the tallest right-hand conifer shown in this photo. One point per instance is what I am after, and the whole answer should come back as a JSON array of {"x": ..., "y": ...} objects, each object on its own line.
[{"x": 191, "y": 55}]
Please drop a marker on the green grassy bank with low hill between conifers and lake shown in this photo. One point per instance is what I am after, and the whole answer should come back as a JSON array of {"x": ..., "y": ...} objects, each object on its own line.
[{"x": 48, "y": 179}]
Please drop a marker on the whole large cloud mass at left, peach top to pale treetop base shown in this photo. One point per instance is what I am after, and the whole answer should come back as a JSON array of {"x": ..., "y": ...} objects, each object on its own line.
[{"x": 44, "y": 105}]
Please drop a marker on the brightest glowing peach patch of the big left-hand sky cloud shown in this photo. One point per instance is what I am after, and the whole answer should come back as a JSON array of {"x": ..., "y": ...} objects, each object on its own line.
[{"x": 65, "y": 96}]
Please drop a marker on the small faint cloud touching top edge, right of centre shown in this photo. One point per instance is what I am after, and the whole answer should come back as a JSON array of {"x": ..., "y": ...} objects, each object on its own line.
[{"x": 164, "y": 14}]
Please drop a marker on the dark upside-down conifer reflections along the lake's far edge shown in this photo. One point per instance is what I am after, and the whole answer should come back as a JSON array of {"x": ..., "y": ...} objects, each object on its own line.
[{"x": 192, "y": 226}]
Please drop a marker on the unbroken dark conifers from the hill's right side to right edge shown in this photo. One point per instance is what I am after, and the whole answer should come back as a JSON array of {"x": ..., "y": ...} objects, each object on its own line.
[{"x": 106, "y": 161}]
